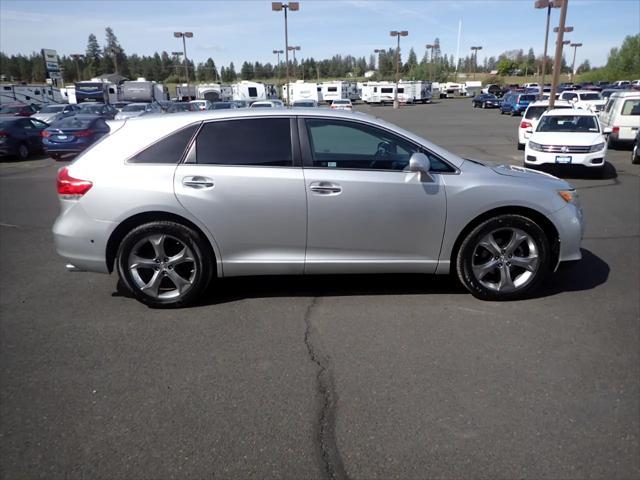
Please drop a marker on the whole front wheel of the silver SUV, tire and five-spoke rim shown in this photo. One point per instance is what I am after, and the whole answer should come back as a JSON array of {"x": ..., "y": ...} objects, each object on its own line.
[{"x": 503, "y": 258}]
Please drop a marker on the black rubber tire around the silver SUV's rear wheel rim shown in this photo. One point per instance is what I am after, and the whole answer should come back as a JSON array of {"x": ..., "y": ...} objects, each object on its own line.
[{"x": 200, "y": 269}]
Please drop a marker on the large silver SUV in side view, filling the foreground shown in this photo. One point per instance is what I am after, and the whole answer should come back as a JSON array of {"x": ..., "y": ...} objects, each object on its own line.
[{"x": 171, "y": 202}]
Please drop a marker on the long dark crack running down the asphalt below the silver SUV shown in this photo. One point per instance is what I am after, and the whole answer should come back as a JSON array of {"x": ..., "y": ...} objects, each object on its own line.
[{"x": 326, "y": 420}]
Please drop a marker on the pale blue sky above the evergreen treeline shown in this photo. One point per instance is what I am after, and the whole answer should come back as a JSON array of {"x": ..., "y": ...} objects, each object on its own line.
[{"x": 238, "y": 30}]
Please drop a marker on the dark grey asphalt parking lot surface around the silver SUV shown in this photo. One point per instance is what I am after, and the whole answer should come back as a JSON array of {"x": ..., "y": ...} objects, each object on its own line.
[{"x": 361, "y": 377}]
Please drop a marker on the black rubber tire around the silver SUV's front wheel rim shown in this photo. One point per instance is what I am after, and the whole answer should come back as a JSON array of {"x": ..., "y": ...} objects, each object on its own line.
[{"x": 499, "y": 227}]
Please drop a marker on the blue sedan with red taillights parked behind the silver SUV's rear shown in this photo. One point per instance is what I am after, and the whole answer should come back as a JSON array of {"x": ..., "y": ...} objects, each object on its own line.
[{"x": 73, "y": 134}]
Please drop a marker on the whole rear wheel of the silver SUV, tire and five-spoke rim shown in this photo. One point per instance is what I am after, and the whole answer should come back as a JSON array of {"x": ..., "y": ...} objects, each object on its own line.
[{"x": 164, "y": 264}]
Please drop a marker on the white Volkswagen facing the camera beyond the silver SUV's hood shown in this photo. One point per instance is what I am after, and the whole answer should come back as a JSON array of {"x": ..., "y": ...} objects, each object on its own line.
[{"x": 567, "y": 137}]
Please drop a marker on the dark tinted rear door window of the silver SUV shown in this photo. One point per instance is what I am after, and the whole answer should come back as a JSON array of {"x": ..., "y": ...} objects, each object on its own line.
[{"x": 257, "y": 142}]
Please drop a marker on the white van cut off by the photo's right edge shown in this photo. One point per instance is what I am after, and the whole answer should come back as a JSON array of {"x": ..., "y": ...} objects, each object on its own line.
[{"x": 622, "y": 115}]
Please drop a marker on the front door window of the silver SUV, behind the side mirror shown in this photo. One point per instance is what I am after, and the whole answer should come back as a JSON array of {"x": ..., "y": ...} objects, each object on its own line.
[{"x": 351, "y": 145}]
